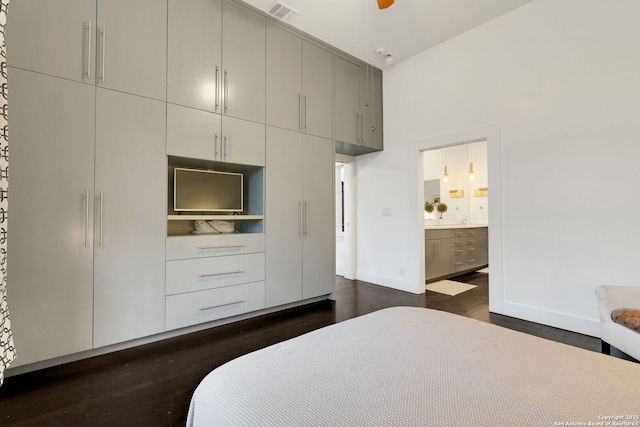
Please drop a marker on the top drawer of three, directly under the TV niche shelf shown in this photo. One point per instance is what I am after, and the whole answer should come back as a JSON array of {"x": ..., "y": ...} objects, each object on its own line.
[{"x": 185, "y": 247}]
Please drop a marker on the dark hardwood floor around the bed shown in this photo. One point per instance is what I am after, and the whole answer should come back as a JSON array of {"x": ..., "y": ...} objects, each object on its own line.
[{"x": 151, "y": 385}]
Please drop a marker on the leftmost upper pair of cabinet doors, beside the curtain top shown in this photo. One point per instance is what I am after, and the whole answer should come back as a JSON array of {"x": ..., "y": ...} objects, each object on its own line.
[{"x": 94, "y": 42}]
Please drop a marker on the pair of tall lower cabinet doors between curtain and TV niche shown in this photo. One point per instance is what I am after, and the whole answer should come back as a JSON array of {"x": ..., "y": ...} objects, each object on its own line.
[{"x": 97, "y": 245}]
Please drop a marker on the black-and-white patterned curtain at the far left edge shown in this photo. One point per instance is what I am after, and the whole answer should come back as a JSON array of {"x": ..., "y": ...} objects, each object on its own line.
[{"x": 7, "y": 350}]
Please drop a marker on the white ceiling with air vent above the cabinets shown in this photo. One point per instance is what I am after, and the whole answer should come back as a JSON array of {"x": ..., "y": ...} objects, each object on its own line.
[{"x": 358, "y": 27}]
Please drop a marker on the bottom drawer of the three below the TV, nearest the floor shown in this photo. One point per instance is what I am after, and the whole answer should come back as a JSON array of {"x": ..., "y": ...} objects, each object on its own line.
[{"x": 204, "y": 306}]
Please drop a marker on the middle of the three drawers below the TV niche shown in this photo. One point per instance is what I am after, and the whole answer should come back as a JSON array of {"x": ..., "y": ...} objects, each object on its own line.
[{"x": 188, "y": 275}]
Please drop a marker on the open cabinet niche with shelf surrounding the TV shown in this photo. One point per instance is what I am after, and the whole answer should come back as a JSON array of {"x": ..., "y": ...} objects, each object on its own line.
[{"x": 187, "y": 221}]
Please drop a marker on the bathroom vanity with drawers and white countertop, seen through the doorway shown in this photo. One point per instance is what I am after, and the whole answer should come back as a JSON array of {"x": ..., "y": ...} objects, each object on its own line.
[{"x": 451, "y": 250}]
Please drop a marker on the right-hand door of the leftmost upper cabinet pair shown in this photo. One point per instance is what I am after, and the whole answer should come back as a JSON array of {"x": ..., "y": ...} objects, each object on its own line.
[{"x": 132, "y": 46}]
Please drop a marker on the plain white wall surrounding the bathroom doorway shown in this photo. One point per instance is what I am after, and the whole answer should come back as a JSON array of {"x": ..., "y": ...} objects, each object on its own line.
[{"x": 561, "y": 80}]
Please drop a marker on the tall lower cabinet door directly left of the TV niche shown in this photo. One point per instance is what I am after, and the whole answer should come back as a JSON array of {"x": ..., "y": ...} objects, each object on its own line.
[{"x": 130, "y": 217}]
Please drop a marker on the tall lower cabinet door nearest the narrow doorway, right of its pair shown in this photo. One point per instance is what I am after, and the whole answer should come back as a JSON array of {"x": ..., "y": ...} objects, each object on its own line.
[{"x": 319, "y": 259}]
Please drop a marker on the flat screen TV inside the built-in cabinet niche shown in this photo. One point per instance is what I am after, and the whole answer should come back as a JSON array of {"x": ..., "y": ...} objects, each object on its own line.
[{"x": 196, "y": 190}]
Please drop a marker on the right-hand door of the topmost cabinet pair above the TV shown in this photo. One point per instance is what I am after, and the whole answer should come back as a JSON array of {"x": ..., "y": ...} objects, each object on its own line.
[{"x": 243, "y": 58}]
